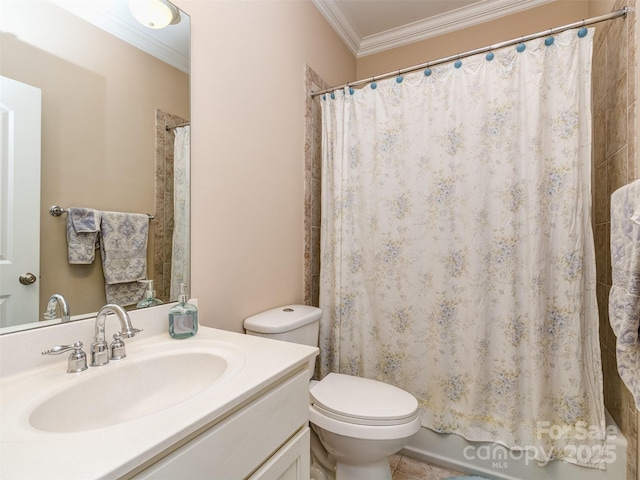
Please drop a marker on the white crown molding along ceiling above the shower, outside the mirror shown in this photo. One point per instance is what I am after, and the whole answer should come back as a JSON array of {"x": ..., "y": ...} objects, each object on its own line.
[{"x": 458, "y": 19}]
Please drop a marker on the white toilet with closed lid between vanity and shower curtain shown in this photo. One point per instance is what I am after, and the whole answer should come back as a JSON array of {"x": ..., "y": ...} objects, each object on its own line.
[{"x": 359, "y": 422}]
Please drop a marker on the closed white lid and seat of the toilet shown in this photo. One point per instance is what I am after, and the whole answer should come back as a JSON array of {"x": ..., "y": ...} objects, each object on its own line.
[{"x": 363, "y": 401}]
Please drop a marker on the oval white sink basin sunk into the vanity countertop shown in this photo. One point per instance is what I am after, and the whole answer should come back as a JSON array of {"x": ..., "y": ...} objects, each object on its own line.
[{"x": 131, "y": 388}]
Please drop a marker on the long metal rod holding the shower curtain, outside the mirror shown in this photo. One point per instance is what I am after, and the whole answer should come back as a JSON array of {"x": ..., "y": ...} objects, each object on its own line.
[{"x": 590, "y": 21}]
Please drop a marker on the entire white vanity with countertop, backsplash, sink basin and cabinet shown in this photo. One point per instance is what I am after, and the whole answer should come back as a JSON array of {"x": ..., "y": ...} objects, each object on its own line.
[{"x": 241, "y": 412}]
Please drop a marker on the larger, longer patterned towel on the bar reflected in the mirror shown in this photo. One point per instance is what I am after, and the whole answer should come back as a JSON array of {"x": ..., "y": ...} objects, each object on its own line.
[{"x": 123, "y": 247}]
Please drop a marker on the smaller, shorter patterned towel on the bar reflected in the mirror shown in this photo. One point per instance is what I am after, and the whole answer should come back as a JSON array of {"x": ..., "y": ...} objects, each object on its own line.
[{"x": 83, "y": 225}]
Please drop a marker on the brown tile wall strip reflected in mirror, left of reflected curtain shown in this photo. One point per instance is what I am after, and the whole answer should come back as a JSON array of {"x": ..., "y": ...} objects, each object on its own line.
[{"x": 163, "y": 223}]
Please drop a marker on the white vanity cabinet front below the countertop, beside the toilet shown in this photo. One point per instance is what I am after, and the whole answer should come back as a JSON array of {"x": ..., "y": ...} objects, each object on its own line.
[{"x": 265, "y": 439}]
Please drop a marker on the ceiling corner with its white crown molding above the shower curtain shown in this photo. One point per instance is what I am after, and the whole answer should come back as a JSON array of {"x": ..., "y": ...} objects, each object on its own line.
[{"x": 372, "y": 26}]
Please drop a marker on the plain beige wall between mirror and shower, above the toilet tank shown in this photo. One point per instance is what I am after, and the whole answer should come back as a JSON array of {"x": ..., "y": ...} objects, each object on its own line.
[{"x": 248, "y": 86}]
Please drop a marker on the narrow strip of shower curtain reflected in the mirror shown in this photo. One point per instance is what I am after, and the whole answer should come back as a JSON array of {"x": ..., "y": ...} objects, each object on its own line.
[{"x": 180, "y": 258}]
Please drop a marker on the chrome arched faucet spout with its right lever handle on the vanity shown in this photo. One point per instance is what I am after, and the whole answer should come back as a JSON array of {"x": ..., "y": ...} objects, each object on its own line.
[{"x": 99, "y": 347}]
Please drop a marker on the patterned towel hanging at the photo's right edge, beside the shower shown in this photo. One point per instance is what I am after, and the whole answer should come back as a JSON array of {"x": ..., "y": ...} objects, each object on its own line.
[{"x": 624, "y": 297}]
